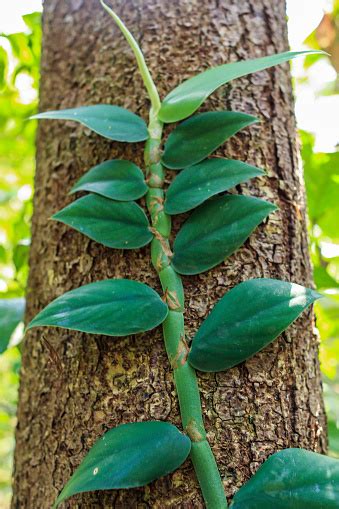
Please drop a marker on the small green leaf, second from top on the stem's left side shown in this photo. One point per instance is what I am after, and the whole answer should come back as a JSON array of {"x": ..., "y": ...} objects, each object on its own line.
[{"x": 117, "y": 179}]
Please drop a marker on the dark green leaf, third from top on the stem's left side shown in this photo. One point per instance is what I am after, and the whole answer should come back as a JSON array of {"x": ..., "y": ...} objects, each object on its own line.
[{"x": 121, "y": 225}]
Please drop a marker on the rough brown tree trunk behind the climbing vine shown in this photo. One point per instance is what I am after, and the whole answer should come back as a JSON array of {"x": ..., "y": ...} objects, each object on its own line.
[{"x": 272, "y": 401}]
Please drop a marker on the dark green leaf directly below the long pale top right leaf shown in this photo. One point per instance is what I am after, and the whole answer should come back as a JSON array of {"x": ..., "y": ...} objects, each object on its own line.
[{"x": 196, "y": 138}]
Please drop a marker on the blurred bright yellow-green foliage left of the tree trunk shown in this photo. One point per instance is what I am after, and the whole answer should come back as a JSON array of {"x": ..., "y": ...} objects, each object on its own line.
[{"x": 19, "y": 78}]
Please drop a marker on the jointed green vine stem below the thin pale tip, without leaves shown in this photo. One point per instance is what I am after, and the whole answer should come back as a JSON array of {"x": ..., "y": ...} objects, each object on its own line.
[{"x": 173, "y": 327}]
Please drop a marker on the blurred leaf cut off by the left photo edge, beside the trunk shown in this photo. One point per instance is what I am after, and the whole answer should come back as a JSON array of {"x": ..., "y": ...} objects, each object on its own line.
[{"x": 11, "y": 314}]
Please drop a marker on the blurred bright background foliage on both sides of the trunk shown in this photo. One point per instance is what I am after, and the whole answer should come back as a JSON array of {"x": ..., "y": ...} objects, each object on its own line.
[{"x": 317, "y": 92}]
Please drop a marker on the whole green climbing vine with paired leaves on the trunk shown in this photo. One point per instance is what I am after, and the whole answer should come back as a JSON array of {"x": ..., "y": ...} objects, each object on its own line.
[{"x": 244, "y": 321}]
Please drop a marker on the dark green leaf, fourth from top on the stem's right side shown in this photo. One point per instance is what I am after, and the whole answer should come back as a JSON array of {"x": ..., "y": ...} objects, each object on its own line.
[{"x": 215, "y": 230}]
